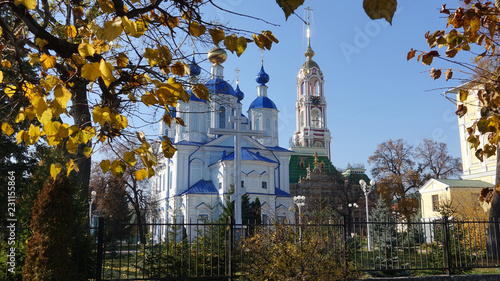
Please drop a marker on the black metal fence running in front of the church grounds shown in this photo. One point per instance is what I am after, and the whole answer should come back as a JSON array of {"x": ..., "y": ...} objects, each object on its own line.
[{"x": 221, "y": 251}]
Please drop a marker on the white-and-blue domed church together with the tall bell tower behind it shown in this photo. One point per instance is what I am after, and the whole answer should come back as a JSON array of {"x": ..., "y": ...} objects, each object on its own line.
[{"x": 194, "y": 183}]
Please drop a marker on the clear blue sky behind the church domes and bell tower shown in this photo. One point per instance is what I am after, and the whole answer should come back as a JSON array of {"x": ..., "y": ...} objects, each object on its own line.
[{"x": 373, "y": 93}]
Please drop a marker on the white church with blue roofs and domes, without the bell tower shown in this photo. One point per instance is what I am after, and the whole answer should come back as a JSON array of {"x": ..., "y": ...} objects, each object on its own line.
[{"x": 194, "y": 183}]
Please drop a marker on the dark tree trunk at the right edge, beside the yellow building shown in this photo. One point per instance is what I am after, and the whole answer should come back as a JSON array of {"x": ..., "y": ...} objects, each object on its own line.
[{"x": 493, "y": 241}]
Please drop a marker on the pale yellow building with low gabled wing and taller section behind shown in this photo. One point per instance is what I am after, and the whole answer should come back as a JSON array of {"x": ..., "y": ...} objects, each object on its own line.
[{"x": 461, "y": 194}]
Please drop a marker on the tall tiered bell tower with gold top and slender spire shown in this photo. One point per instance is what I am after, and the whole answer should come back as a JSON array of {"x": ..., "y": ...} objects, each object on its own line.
[{"x": 312, "y": 133}]
